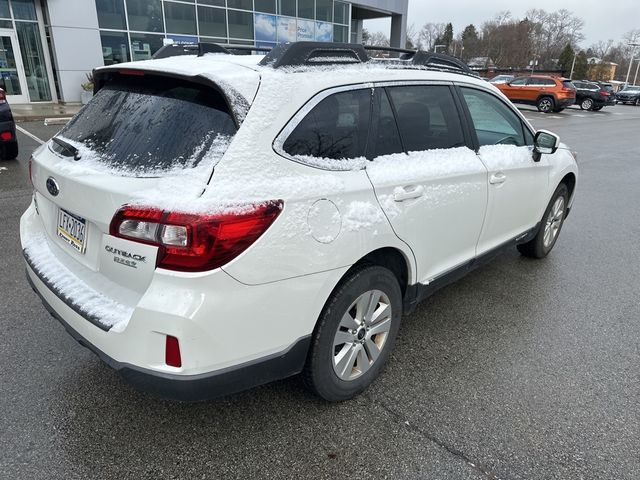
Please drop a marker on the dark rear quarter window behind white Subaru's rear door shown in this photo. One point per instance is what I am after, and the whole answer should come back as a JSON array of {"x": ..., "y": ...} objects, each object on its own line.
[{"x": 336, "y": 128}]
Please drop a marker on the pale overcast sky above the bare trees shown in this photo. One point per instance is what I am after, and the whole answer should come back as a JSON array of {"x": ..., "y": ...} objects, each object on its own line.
[{"x": 603, "y": 20}]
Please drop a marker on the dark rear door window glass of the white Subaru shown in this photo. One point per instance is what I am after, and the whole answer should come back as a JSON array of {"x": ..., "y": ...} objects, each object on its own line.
[{"x": 427, "y": 117}]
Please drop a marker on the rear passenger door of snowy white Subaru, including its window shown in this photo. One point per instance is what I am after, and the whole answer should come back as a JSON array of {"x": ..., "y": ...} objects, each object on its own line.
[{"x": 430, "y": 184}]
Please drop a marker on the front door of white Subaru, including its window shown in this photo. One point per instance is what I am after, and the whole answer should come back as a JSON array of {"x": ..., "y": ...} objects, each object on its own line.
[{"x": 517, "y": 184}]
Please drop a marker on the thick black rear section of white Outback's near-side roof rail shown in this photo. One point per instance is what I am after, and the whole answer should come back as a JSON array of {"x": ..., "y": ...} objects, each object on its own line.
[{"x": 314, "y": 53}]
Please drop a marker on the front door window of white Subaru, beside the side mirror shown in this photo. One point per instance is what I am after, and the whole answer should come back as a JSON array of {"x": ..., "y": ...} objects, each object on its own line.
[{"x": 493, "y": 121}]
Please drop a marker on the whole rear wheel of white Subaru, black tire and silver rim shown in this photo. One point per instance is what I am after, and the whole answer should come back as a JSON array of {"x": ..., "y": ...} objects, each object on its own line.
[{"x": 341, "y": 364}]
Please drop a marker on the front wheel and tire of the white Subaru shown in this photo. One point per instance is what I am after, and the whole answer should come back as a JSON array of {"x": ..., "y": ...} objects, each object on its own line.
[{"x": 550, "y": 226}]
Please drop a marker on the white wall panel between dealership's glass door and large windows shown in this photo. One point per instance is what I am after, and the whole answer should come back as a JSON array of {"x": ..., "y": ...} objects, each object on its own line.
[{"x": 76, "y": 44}]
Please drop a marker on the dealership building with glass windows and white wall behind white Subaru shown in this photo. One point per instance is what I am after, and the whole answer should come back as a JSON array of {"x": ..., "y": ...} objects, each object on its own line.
[{"x": 47, "y": 47}]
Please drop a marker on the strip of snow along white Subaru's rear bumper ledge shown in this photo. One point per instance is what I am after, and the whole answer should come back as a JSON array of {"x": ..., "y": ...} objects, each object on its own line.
[{"x": 93, "y": 304}]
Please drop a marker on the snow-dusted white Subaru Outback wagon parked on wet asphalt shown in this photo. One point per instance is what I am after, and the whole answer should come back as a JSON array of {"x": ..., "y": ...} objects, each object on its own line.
[{"x": 211, "y": 222}]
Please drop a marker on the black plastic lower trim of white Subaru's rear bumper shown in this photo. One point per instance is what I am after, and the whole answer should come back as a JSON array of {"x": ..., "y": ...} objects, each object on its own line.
[{"x": 200, "y": 387}]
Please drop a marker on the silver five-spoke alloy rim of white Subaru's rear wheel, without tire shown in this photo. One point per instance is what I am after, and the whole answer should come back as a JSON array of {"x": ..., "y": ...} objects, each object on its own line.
[{"x": 361, "y": 335}]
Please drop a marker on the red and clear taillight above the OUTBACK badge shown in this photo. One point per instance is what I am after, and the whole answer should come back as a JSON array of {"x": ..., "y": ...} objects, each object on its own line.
[{"x": 190, "y": 242}]
